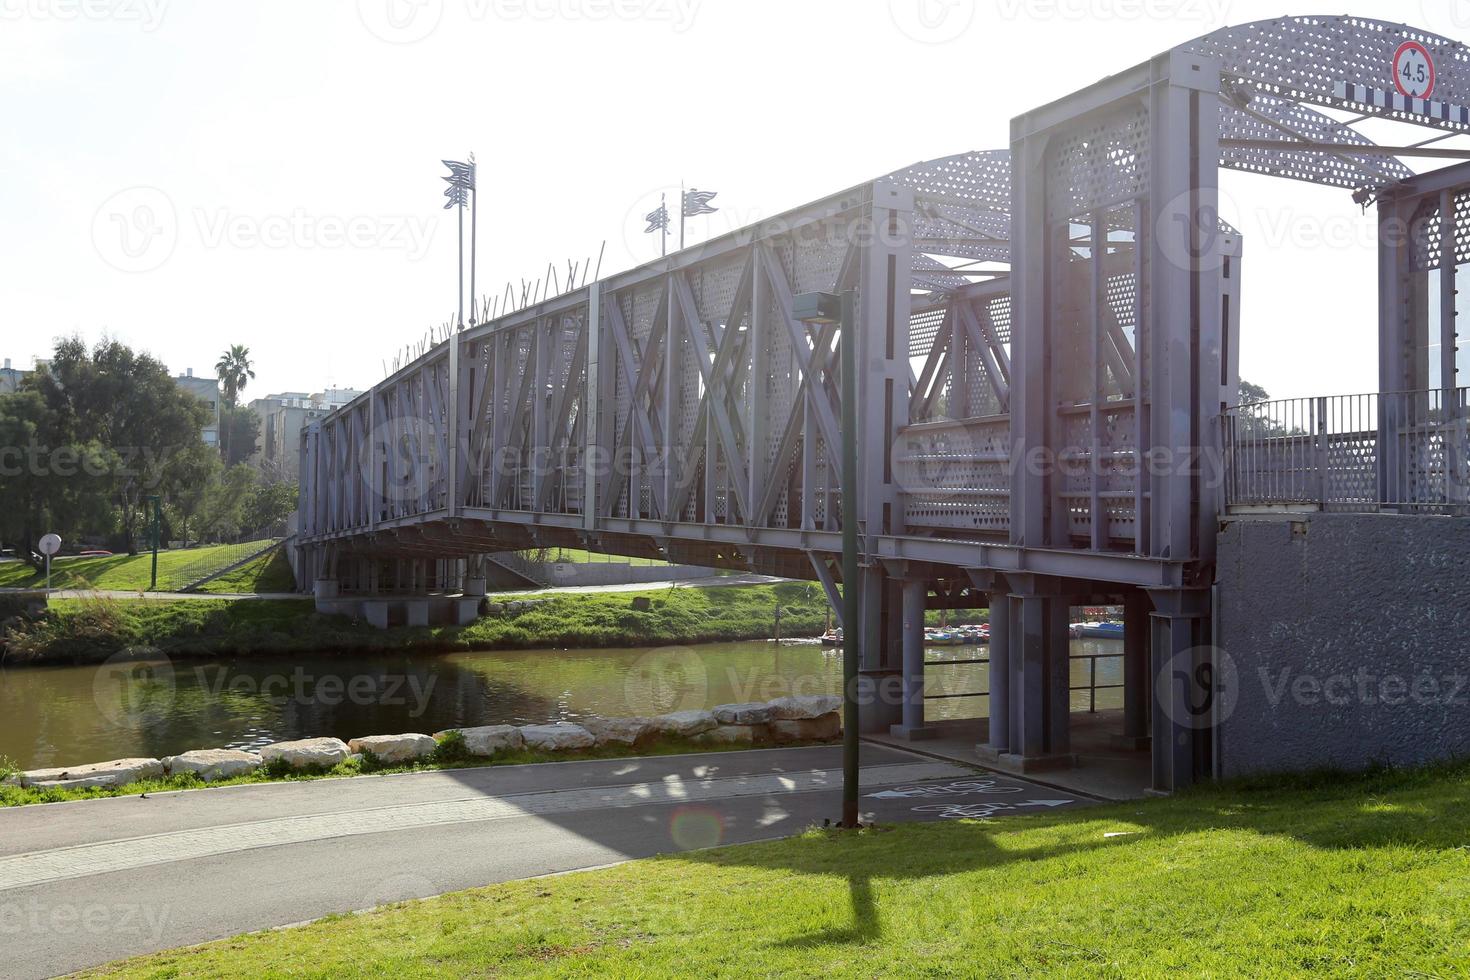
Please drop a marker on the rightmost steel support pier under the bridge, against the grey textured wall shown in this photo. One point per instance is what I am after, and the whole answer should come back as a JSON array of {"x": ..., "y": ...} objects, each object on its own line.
[{"x": 1184, "y": 707}]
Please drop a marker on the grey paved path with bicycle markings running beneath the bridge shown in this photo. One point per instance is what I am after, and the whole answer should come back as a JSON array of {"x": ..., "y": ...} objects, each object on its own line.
[{"x": 89, "y": 882}]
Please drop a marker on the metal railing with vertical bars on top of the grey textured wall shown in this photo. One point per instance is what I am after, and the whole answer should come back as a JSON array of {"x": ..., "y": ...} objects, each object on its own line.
[{"x": 1394, "y": 452}]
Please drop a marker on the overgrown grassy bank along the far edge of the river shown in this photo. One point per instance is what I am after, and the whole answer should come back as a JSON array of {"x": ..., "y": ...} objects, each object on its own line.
[{"x": 89, "y": 631}]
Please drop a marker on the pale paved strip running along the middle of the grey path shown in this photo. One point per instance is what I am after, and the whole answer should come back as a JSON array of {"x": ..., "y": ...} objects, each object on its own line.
[{"x": 37, "y": 868}]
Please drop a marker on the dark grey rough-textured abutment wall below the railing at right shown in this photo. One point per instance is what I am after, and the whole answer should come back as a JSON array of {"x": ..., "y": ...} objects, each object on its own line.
[{"x": 1350, "y": 635}]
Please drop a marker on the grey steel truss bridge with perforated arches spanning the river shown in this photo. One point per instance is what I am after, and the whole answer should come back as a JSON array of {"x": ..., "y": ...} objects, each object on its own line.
[{"x": 1047, "y": 352}]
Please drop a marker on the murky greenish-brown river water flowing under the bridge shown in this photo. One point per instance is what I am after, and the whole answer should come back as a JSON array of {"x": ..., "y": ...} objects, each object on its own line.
[{"x": 68, "y": 716}]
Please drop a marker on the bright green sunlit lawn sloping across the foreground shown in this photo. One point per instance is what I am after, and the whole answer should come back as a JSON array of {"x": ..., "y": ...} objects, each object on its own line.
[{"x": 1344, "y": 878}]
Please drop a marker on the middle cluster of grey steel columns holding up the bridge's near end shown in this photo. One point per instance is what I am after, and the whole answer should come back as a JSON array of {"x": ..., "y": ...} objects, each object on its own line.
[{"x": 1037, "y": 690}]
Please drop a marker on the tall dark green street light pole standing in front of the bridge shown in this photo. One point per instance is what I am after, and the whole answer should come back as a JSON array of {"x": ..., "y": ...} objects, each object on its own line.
[{"x": 830, "y": 308}]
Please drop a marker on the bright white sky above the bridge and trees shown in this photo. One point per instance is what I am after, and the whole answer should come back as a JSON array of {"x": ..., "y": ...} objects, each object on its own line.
[{"x": 255, "y": 133}]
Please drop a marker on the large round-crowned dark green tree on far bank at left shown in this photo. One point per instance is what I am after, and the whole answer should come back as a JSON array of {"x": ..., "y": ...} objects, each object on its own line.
[{"x": 124, "y": 412}]
